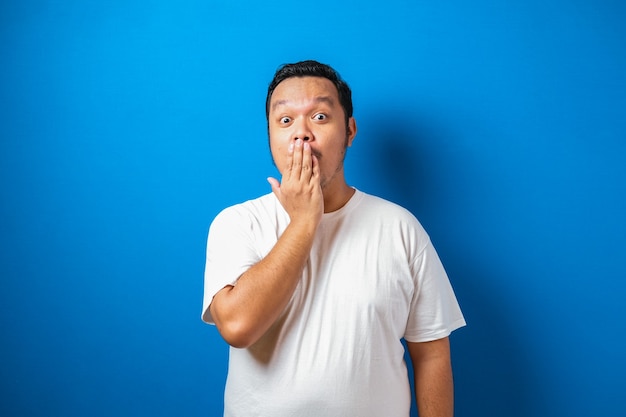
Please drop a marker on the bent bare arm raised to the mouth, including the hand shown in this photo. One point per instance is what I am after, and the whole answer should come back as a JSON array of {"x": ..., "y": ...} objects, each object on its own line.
[{"x": 244, "y": 312}]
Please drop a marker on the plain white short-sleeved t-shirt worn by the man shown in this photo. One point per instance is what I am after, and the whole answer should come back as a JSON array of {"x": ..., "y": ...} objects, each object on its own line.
[{"x": 372, "y": 278}]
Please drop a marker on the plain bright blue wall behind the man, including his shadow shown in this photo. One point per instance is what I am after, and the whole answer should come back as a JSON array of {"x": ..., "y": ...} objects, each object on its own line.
[{"x": 127, "y": 126}]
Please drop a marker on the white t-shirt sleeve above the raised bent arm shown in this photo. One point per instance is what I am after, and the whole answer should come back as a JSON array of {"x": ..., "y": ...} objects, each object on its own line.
[{"x": 229, "y": 253}]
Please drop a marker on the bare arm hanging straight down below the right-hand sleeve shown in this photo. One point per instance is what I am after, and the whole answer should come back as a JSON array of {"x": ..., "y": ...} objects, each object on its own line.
[{"x": 432, "y": 367}]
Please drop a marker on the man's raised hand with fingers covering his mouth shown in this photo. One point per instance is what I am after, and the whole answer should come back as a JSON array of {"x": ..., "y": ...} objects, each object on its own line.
[{"x": 300, "y": 192}]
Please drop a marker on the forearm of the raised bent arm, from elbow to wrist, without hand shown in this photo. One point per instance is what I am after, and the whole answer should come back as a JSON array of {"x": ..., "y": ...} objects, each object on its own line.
[{"x": 244, "y": 312}]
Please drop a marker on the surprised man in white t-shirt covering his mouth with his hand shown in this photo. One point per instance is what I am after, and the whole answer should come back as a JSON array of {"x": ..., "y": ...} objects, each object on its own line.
[{"x": 315, "y": 284}]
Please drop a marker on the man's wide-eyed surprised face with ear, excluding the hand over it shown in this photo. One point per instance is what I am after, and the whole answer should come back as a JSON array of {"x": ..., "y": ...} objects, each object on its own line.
[{"x": 308, "y": 108}]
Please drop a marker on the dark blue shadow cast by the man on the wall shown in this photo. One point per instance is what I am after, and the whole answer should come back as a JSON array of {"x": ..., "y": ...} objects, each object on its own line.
[{"x": 493, "y": 376}]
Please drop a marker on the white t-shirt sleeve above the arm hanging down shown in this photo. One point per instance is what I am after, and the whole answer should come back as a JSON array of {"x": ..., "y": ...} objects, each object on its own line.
[{"x": 435, "y": 312}]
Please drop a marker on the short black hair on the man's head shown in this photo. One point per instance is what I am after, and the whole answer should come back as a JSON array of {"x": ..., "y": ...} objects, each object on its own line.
[{"x": 312, "y": 68}]
